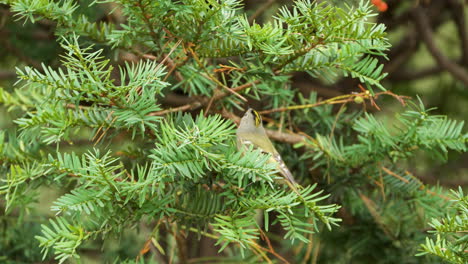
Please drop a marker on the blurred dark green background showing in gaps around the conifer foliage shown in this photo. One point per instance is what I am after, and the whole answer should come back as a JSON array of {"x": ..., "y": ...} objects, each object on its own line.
[{"x": 414, "y": 70}]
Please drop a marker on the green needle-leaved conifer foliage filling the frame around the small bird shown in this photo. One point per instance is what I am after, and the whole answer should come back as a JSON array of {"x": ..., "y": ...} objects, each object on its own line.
[{"x": 101, "y": 134}]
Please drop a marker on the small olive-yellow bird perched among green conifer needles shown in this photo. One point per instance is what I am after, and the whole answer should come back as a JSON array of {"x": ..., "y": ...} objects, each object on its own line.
[{"x": 251, "y": 132}]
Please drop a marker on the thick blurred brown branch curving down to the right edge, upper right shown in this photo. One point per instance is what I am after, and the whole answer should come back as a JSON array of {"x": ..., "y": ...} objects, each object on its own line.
[{"x": 425, "y": 32}]
